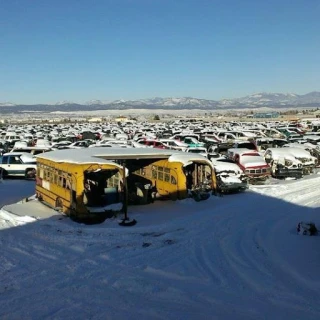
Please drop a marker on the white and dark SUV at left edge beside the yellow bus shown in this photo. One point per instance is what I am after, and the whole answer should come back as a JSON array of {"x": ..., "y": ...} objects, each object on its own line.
[{"x": 18, "y": 164}]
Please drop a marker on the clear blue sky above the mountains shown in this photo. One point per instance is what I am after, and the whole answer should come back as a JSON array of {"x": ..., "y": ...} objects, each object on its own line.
[{"x": 80, "y": 50}]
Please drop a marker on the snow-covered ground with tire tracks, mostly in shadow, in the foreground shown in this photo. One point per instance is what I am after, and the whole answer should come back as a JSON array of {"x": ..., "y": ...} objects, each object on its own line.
[{"x": 231, "y": 257}]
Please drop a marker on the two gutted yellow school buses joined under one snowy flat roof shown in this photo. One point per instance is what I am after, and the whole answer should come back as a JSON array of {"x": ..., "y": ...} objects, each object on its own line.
[{"x": 93, "y": 181}]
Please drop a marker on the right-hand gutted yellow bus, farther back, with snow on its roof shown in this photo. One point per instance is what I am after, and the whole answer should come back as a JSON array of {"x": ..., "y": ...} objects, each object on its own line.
[{"x": 167, "y": 173}]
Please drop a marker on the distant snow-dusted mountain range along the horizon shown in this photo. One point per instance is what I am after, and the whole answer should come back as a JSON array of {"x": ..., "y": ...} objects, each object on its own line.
[{"x": 253, "y": 101}]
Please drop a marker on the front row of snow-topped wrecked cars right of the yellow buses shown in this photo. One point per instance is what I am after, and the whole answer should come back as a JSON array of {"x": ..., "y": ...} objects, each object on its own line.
[{"x": 238, "y": 167}]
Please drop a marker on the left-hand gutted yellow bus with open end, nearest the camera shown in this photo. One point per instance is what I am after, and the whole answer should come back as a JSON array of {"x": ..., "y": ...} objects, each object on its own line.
[{"x": 78, "y": 184}]
